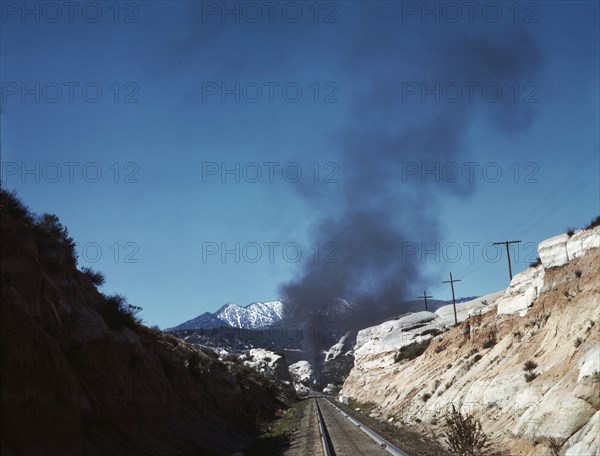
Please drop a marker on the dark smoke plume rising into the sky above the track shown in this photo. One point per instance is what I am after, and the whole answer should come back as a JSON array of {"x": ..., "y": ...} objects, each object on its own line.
[{"x": 376, "y": 213}]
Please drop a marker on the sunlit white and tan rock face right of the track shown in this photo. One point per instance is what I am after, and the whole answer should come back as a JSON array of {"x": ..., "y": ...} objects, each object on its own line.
[{"x": 550, "y": 315}]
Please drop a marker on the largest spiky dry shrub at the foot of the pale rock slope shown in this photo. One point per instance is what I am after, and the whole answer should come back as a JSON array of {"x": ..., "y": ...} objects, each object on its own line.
[{"x": 464, "y": 435}]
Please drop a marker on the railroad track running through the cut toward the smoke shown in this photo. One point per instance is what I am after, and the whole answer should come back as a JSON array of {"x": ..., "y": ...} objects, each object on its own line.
[{"x": 342, "y": 435}]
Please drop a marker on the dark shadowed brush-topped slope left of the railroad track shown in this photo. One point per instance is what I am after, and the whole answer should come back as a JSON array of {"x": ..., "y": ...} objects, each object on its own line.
[{"x": 71, "y": 385}]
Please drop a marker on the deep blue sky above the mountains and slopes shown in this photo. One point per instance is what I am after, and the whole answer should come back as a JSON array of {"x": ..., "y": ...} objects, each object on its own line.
[{"x": 179, "y": 103}]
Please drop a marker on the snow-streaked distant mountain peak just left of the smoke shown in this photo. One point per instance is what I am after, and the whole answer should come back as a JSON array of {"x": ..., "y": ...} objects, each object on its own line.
[{"x": 255, "y": 315}]
